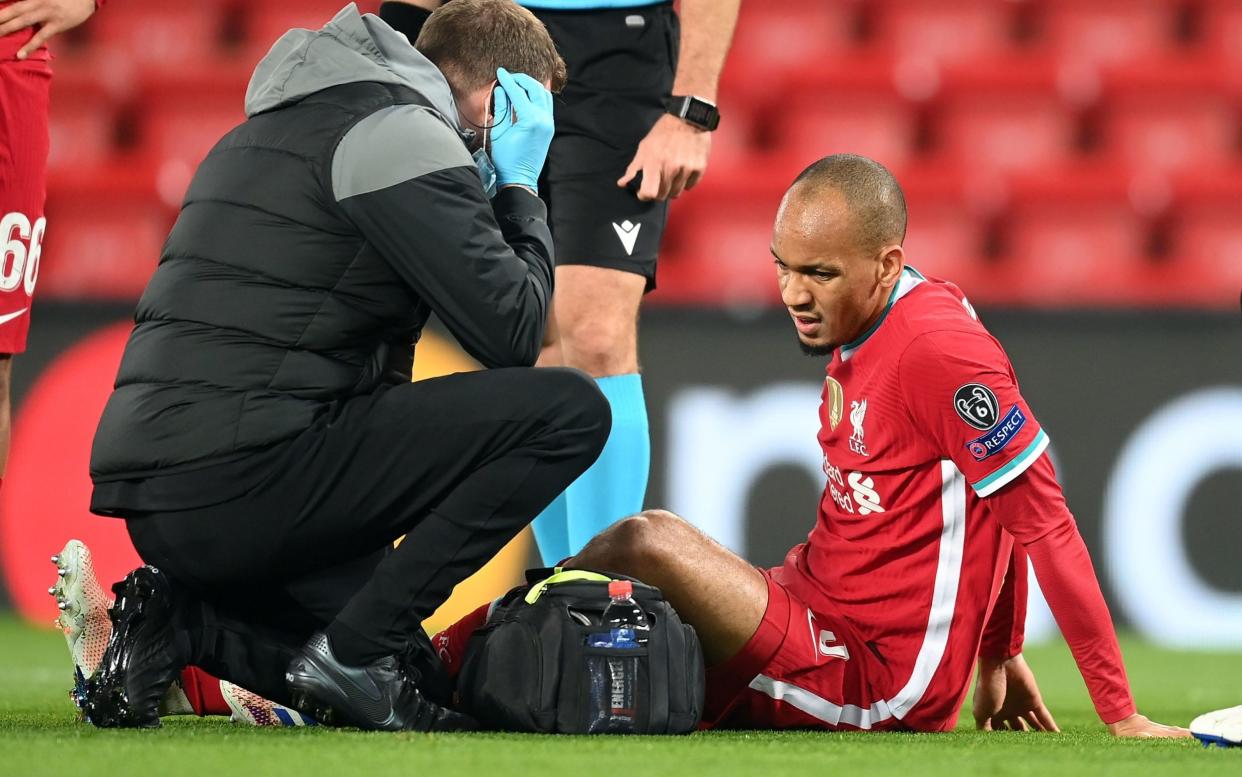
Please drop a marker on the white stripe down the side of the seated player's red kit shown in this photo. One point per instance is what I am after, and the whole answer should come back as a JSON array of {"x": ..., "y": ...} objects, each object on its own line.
[{"x": 945, "y": 598}]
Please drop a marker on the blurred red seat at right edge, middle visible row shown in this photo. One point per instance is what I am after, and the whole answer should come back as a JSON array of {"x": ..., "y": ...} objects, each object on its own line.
[{"x": 1171, "y": 116}]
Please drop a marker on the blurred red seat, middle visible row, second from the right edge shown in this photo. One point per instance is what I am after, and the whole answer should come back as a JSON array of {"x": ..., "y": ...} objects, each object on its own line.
[{"x": 1005, "y": 116}]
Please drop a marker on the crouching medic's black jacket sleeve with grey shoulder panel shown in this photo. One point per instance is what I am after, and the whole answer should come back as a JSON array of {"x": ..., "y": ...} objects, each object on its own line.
[{"x": 407, "y": 181}]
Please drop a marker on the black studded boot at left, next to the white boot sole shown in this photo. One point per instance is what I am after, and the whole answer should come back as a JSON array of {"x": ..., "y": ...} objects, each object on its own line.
[{"x": 142, "y": 658}]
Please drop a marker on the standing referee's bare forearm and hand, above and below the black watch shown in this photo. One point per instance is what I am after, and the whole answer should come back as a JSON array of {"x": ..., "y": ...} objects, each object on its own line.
[{"x": 674, "y": 156}]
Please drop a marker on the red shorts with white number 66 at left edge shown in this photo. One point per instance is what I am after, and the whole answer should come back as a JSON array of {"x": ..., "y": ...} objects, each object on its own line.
[{"x": 24, "y": 101}]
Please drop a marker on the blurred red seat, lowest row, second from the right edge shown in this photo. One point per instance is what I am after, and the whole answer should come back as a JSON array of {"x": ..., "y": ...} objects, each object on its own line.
[{"x": 1074, "y": 239}]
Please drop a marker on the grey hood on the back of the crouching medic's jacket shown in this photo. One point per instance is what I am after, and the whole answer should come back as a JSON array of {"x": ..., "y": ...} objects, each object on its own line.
[{"x": 353, "y": 48}]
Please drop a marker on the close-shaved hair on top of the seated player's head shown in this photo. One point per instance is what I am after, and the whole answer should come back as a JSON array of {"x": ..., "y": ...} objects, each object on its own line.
[{"x": 869, "y": 192}]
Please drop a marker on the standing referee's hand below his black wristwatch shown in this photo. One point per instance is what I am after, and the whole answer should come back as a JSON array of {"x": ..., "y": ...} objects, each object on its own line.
[{"x": 671, "y": 158}]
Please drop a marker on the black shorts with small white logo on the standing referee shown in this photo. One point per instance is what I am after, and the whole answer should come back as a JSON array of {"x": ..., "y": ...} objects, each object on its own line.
[{"x": 622, "y": 65}]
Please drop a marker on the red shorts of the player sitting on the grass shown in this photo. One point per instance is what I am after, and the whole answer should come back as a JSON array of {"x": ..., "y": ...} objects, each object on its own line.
[{"x": 804, "y": 668}]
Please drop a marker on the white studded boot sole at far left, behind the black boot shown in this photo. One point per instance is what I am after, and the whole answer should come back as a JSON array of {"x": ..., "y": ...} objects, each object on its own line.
[{"x": 84, "y": 618}]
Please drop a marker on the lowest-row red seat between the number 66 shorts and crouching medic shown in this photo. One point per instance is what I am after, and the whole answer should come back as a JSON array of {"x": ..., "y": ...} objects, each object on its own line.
[{"x": 105, "y": 235}]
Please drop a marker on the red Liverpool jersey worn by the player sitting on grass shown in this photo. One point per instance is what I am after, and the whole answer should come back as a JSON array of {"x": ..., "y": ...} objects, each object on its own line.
[{"x": 921, "y": 421}]
